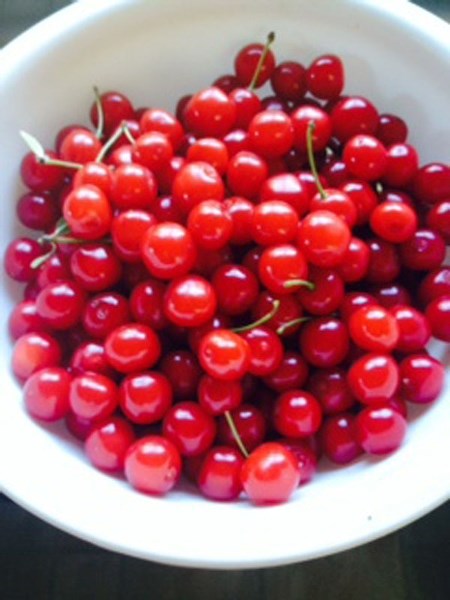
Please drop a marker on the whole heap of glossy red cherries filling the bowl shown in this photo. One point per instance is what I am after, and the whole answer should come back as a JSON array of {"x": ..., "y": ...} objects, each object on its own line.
[{"x": 235, "y": 290}]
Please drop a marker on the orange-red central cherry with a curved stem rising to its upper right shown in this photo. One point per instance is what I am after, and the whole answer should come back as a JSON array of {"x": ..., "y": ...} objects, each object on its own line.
[{"x": 224, "y": 354}]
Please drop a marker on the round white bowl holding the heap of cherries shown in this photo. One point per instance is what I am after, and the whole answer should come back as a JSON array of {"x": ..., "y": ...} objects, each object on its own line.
[{"x": 396, "y": 54}]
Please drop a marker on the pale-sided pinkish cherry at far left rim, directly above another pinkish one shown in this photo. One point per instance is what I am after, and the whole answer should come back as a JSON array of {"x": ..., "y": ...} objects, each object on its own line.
[{"x": 46, "y": 393}]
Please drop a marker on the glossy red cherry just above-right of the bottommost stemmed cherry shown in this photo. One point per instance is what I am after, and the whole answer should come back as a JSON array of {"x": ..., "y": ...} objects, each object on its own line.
[{"x": 297, "y": 414}]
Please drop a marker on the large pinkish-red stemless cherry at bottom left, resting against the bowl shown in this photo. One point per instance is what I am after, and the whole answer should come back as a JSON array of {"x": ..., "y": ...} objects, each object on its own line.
[{"x": 153, "y": 465}]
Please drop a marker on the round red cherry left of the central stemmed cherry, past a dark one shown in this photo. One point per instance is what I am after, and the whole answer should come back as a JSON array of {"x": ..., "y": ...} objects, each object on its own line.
[{"x": 132, "y": 347}]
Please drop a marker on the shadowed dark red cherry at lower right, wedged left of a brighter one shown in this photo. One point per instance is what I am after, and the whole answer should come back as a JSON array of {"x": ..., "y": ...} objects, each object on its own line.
[{"x": 338, "y": 439}]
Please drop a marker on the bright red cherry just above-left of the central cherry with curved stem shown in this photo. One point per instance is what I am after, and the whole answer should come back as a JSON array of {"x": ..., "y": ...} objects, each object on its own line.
[{"x": 190, "y": 301}]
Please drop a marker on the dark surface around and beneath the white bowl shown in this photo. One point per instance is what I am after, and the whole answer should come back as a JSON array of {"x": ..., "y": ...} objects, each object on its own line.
[{"x": 39, "y": 562}]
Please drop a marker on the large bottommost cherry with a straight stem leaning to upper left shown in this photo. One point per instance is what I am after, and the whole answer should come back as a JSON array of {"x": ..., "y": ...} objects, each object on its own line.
[{"x": 270, "y": 474}]
